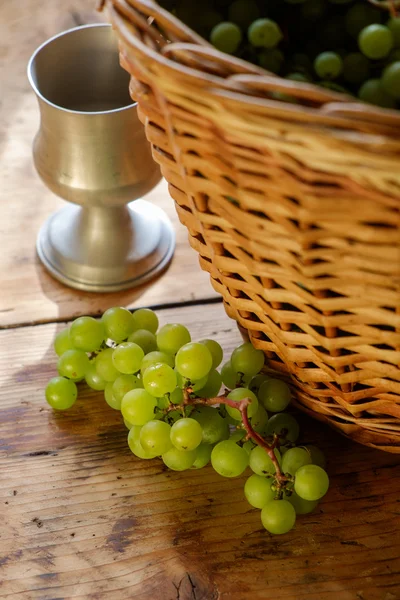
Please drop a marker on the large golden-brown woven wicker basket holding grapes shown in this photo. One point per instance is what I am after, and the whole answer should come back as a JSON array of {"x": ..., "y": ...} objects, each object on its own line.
[{"x": 294, "y": 210}]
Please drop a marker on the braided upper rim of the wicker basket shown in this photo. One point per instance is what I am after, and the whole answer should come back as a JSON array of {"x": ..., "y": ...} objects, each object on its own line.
[{"x": 185, "y": 53}]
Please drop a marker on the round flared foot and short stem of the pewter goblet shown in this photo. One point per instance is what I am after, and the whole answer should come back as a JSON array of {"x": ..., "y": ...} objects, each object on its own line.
[{"x": 101, "y": 249}]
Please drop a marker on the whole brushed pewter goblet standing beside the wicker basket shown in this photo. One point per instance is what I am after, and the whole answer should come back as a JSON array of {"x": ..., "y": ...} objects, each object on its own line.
[{"x": 91, "y": 150}]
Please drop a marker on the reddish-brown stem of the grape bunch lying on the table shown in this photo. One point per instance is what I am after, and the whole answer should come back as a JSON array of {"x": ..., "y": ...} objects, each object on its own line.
[{"x": 242, "y": 407}]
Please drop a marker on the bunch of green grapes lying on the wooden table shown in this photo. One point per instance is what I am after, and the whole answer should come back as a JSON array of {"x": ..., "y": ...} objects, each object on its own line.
[{"x": 173, "y": 399}]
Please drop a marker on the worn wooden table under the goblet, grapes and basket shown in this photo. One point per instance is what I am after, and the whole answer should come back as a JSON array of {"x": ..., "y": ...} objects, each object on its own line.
[{"x": 81, "y": 517}]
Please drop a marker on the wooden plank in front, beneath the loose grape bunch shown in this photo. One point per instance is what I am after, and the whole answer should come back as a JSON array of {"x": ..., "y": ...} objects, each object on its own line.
[{"x": 83, "y": 518}]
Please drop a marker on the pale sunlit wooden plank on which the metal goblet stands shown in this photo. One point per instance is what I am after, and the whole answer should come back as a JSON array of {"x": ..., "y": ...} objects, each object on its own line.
[{"x": 28, "y": 293}]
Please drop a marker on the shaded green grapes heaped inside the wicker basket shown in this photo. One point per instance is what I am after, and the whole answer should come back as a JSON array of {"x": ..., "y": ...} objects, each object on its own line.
[{"x": 349, "y": 46}]
